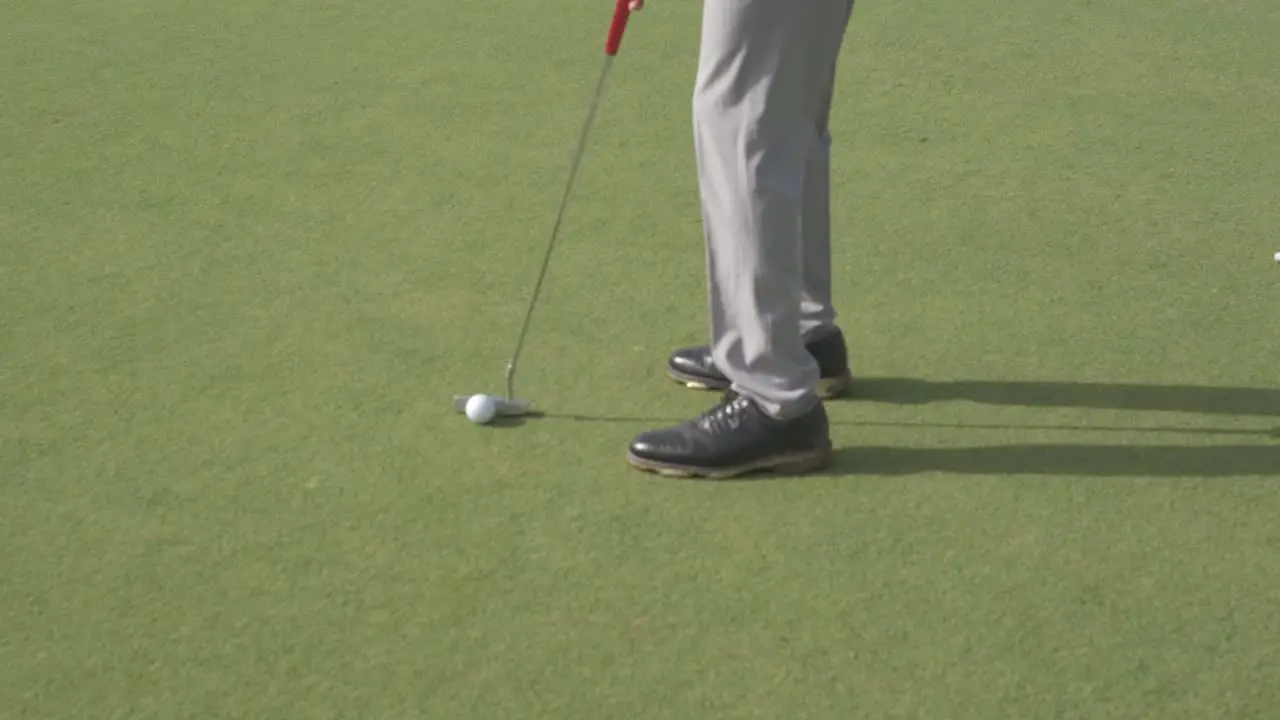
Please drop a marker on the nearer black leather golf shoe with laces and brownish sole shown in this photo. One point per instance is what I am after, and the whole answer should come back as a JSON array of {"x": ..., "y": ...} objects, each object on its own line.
[{"x": 734, "y": 439}]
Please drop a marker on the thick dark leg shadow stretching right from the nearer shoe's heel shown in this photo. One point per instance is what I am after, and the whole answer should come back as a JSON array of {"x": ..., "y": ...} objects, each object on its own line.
[{"x": 1064, "y": 461}]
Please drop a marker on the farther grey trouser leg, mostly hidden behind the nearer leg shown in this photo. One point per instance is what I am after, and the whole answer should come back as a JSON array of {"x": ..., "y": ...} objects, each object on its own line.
[{"x": 817, "y": 312}]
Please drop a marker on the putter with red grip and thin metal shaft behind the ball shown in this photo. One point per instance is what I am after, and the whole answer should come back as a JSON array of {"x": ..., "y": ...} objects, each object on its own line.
[{"x": 510, "y": 405}]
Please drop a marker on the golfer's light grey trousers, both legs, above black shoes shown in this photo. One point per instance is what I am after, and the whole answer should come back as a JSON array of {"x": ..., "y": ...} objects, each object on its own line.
[{"x": 766, "y": 76}]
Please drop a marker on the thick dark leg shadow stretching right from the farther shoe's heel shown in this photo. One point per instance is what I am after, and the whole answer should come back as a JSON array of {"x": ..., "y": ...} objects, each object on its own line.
[{"x": 1053, "y": 394}]
